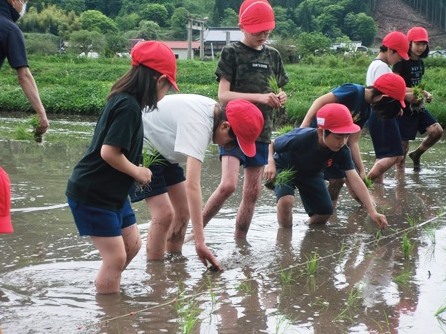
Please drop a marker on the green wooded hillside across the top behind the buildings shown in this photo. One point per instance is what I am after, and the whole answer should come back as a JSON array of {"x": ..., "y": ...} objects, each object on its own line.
[{"x": 106, "y": 27}]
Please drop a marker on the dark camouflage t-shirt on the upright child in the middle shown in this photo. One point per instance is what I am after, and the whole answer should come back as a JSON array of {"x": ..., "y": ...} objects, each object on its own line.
[{"x": 249, "y": 70}]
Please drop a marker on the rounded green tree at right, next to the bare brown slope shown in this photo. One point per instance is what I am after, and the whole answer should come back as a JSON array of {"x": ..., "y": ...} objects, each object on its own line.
[{"x": 360, "y": 27}]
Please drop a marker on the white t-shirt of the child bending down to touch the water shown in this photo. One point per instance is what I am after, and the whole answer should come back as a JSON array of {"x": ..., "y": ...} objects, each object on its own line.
[{"x": 180, "y": 126}]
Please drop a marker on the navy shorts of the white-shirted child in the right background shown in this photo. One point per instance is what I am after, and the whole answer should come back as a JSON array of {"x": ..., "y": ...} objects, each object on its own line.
[{"x": 386, "y": 137}]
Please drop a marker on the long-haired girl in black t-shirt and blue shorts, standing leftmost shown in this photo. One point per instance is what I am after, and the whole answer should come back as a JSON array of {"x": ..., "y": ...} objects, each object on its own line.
[{"x": 98, "y": 188}]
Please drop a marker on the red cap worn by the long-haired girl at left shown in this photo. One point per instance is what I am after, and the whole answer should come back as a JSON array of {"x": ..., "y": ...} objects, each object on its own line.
[{"x": 157, "y": 56}]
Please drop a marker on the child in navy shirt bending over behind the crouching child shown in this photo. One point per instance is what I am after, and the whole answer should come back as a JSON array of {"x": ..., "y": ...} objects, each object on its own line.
[{"x": 358, "y": 99}]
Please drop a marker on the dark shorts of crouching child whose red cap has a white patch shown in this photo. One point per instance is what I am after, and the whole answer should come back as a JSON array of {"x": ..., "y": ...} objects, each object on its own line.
[{"x": 313, "y": 193}]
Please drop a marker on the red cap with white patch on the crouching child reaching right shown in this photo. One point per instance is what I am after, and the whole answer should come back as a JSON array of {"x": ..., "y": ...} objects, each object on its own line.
[{"x": 337, "y": 118}]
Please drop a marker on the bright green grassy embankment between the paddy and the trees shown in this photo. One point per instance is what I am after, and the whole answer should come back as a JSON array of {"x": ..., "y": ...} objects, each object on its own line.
[{"x": 79, "y": 86}]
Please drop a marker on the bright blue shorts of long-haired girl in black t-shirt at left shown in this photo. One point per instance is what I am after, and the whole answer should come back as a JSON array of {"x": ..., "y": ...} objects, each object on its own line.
[{"x": 98, "y": 222}]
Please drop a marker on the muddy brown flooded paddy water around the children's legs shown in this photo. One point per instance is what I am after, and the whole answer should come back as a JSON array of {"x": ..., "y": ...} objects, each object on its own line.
[{"x": 363, "y": 282}]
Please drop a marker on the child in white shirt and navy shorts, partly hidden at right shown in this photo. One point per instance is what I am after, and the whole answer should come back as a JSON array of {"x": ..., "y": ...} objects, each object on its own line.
[{"x": 384, "y": 132}]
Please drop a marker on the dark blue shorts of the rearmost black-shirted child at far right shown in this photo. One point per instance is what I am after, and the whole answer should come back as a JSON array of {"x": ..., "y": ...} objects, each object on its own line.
[{"x": 412, "y": 122}]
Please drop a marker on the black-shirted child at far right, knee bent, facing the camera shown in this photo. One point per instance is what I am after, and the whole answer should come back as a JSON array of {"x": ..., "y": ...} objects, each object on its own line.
[{"x": 415, "y": 117}]
